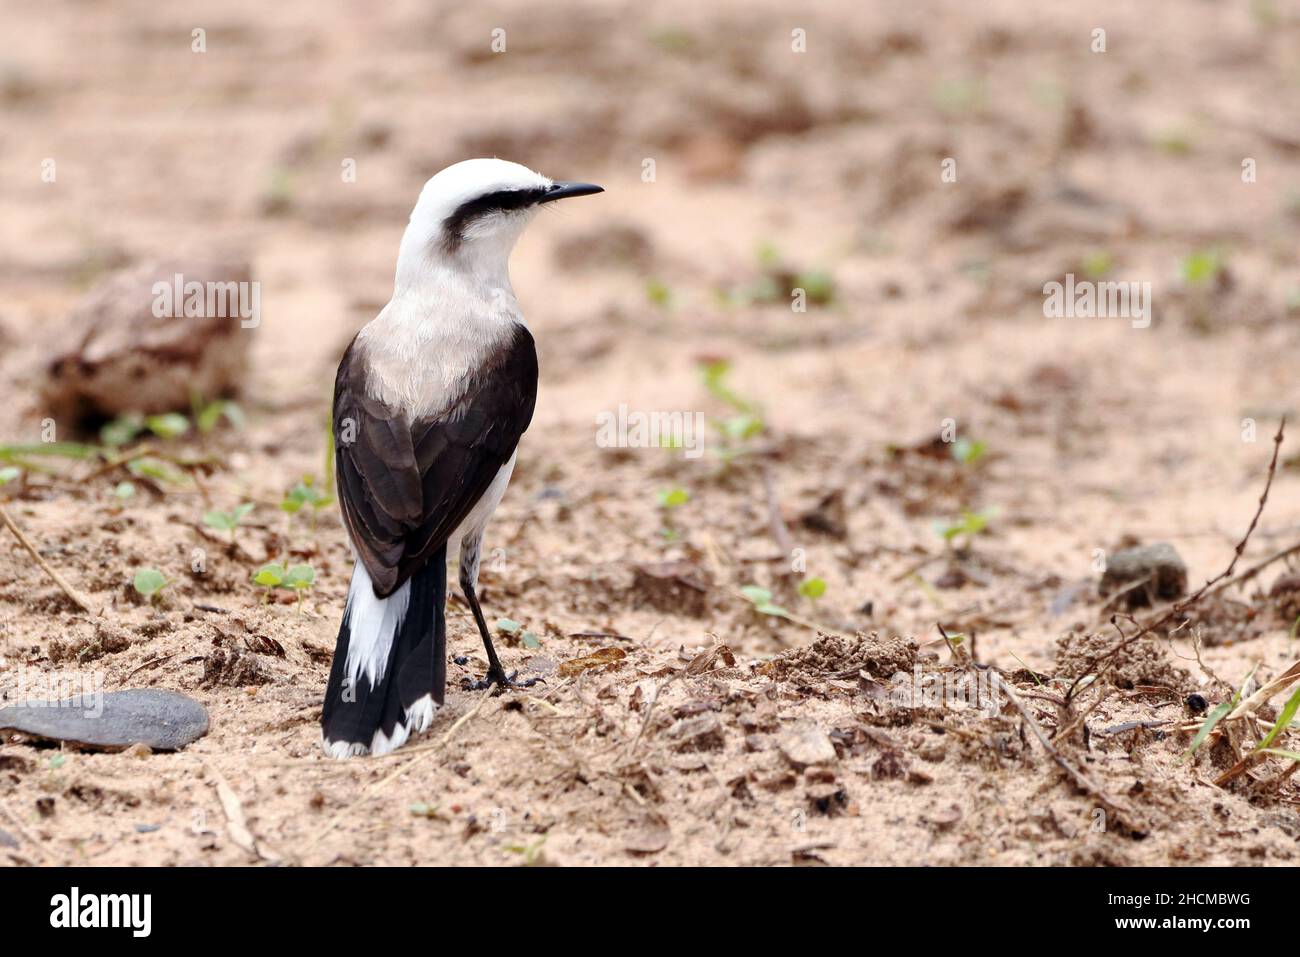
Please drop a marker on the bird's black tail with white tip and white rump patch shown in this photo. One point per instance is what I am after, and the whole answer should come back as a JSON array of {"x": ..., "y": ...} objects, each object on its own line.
[{"x": 391, "y": 664}]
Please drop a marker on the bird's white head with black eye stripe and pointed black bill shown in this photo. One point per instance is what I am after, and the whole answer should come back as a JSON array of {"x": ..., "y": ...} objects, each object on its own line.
[{"x": 471, "y": 215}]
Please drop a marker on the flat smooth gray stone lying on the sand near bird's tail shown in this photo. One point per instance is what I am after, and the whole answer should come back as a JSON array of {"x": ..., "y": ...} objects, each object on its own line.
[{"x": 164, "y": 721}]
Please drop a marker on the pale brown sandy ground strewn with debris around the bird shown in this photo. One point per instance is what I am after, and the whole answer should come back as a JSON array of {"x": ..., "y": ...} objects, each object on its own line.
[{"x": 768, "y": 164}]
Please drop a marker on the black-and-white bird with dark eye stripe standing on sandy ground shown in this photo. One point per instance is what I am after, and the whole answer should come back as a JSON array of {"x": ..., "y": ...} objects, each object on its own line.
[{"x": 431, "y": 401}]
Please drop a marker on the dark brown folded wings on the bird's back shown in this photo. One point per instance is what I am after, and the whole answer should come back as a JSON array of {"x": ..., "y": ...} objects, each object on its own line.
[{"x": 405, "y": 486}]
